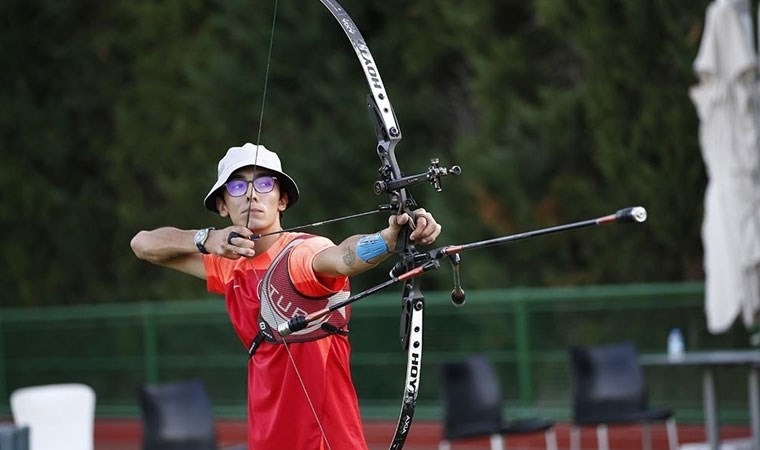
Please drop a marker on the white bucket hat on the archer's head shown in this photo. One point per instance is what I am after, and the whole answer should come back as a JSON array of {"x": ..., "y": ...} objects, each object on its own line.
[{"x": 250, "y": 155}]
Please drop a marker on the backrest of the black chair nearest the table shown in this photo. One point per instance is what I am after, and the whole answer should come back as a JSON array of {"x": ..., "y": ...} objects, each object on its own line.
[{"x": 606, "y": 379}]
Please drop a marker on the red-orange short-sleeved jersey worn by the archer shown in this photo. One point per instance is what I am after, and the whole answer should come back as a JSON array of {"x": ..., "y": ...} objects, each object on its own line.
[{"x": 279, "y": 414}]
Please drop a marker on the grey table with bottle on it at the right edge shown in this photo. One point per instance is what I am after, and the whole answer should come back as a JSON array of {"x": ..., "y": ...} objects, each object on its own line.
[{"x": 709, "y": 361}]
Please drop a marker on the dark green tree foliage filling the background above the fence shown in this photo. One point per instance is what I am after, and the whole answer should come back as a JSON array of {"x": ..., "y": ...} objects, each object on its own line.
[{"x": 114, "y": 115}]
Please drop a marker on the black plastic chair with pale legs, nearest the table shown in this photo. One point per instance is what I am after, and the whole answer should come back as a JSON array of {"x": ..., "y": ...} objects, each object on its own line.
[{"x": 609, "y": 388}]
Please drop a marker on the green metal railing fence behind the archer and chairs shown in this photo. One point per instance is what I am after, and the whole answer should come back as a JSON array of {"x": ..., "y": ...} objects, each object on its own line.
[{"x": 525, "y": 331}]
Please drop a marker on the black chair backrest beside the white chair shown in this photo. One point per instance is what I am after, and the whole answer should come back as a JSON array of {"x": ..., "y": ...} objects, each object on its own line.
[{"x": 176, "y": 416}]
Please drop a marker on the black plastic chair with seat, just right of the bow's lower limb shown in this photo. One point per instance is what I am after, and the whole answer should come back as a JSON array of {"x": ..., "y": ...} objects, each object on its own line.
[{"x": 472, "y": 406}]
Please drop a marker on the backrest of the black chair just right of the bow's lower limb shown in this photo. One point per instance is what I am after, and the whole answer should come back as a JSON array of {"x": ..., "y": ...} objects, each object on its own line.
[{"x": 471, "y": 397}]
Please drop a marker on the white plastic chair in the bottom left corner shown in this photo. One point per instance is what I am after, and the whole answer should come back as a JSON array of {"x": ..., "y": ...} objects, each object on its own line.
[{"x": 59, "y": 416}]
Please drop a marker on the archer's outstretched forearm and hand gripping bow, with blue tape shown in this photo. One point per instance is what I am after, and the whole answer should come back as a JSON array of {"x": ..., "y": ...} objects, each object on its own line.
[{"x": 360, "y": 253}]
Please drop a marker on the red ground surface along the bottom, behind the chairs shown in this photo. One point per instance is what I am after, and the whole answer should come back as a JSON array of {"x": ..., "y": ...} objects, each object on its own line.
[{"x": 116, "y": 434}]
